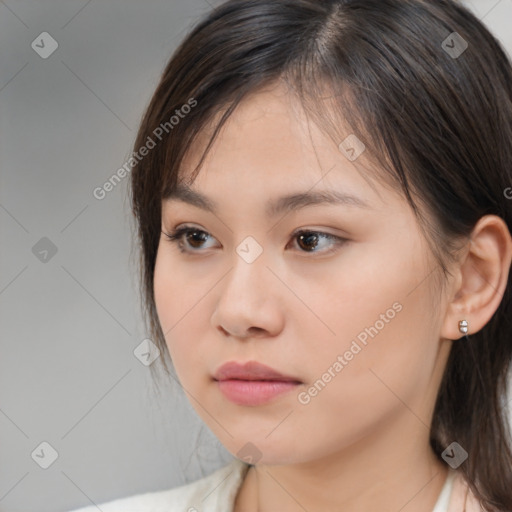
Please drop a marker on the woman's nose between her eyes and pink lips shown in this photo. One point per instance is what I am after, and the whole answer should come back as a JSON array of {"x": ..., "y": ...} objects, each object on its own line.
[{"x": 250, "y": 304}]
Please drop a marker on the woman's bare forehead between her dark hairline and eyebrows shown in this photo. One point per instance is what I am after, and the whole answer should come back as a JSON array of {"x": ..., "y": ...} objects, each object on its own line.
[{"x": 269, "y": 144}]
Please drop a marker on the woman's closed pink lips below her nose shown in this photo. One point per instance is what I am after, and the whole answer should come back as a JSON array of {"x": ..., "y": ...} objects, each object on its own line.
[{"x": 252, "y": 383}]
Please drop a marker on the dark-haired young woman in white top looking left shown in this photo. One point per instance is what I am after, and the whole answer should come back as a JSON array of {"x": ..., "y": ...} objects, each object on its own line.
[{"x": 324, "y": 211}]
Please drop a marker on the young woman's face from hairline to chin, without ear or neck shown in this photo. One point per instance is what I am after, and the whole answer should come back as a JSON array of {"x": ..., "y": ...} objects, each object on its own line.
[{"x": 346, "y": 310}]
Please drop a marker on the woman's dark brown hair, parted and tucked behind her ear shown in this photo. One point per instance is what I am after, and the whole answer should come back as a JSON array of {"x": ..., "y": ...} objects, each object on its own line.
[{"x": 438, "y": 123}]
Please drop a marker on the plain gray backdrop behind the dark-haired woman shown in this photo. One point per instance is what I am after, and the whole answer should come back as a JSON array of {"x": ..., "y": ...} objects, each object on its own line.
[{"x": 70, "y": 324}]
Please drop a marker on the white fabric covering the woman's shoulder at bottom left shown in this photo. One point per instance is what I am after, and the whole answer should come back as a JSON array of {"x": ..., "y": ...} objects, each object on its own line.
[{"x": 215, "y": 492}]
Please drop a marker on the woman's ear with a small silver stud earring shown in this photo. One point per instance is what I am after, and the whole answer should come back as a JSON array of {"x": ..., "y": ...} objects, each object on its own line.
[{"x": 480, "y": 278}]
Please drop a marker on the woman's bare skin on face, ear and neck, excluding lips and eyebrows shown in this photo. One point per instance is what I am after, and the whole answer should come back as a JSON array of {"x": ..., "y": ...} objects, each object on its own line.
[{"x": 362, "y": 442}]
